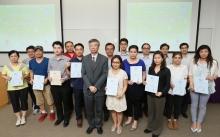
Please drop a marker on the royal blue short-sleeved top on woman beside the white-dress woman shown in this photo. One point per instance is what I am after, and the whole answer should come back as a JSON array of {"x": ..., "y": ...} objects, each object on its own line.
[{"x": 126, "y": 66}]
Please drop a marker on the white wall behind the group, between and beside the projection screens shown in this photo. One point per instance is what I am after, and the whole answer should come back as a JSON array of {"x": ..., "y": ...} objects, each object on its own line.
[{"x": 83, "y": 20}]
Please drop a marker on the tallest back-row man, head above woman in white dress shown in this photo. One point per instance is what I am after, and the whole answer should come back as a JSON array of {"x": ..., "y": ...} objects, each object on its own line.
[{"x": 123, "y": 49}]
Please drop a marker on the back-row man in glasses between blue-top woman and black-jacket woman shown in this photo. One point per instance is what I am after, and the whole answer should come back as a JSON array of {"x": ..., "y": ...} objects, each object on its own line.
[{"x": 147, "y": 61}]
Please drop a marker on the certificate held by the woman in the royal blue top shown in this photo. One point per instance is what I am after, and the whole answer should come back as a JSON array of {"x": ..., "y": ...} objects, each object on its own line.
[{"x": 136, "y": 73}]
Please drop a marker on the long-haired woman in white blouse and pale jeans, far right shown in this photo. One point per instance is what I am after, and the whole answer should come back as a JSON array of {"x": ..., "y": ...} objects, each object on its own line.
[{"x": 204, "y": 66}]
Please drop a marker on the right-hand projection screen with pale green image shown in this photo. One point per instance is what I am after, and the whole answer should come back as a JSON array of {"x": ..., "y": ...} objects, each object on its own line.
[{"x": 156, "y": 22}]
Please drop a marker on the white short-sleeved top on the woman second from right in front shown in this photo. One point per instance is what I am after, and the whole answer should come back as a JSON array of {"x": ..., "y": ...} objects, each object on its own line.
[{"x": 180, "y": 72}]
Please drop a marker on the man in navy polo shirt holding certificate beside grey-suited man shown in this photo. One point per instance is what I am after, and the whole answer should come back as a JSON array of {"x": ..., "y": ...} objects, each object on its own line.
[{"x": 77, "y": 84}]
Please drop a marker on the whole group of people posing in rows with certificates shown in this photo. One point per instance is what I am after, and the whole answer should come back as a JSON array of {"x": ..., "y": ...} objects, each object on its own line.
[{"x": 90, "y": 90}]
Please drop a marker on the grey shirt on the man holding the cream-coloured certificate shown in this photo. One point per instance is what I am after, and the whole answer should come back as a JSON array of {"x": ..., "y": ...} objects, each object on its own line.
[{"x": 58, "y": 65}]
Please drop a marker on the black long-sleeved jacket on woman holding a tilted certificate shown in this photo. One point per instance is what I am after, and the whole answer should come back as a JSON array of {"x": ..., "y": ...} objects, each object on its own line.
[{"x": 164, "y": 81}]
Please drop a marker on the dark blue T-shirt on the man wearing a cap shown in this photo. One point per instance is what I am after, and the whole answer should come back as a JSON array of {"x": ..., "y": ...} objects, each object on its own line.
[{"x": 39, "y": 68}]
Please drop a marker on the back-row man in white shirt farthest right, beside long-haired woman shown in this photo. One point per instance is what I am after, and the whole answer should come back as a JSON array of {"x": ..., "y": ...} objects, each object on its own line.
[{"x": 185, "y": 61}]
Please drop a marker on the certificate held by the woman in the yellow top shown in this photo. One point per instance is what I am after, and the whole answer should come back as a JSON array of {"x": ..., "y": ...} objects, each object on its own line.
[{"x": 16, "y": 78}]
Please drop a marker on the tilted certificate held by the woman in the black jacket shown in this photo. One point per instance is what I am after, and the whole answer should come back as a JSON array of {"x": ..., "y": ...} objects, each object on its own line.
[{"x": 152, "y": 83}]
